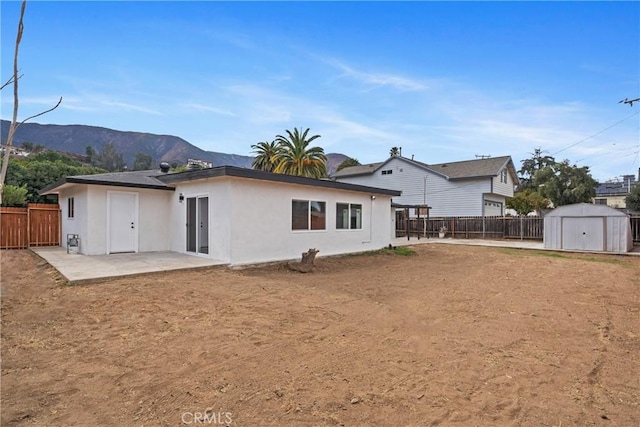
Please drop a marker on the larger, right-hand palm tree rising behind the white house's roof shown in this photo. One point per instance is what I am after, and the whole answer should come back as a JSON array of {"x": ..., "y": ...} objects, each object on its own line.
[{"x": 297, "y": 158}]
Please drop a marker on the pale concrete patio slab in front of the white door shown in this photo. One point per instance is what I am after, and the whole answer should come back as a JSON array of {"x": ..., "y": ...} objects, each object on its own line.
[{"x": 79, "y": 269}]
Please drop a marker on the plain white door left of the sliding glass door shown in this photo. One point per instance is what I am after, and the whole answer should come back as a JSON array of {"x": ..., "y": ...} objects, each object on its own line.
[{"x": 122, "y": 222}]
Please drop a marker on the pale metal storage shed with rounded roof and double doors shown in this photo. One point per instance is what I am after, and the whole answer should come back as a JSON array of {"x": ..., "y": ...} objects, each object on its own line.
[{"x": 587, "y": 227}]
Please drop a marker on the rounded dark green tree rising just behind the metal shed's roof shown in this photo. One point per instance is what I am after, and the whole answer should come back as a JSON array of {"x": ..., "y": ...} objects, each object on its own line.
[{"x": 564, "y": 184}]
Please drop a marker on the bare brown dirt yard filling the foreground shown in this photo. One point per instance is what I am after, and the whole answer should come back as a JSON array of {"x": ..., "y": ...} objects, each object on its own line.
[{"x": 449, "y": 336}]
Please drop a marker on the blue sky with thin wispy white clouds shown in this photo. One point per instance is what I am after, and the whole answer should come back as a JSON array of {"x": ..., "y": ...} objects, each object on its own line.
[{"x": 445, "y": 81}]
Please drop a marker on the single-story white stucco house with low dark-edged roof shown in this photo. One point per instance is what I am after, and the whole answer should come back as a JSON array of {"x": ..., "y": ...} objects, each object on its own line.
[{"x": 234, "y": 215}]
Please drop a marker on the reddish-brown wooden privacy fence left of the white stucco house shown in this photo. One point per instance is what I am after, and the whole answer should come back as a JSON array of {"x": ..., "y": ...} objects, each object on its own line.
[{"x": 36, "y": 225}]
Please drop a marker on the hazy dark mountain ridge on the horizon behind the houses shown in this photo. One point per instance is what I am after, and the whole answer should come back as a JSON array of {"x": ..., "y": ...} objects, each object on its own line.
[{"x": 168, "y": 148}]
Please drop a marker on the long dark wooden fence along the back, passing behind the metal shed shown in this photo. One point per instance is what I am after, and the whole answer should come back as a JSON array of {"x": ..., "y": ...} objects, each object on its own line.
[{"x": 489, "y": 227}]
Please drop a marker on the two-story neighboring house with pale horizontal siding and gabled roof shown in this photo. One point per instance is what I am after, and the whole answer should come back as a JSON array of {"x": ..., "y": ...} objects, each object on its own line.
[{"x": 477, "y": 187}]
